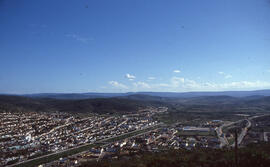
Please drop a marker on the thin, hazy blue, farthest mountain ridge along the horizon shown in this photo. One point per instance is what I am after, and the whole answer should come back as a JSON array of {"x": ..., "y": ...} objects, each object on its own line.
[{"x": 158, "y": 94}]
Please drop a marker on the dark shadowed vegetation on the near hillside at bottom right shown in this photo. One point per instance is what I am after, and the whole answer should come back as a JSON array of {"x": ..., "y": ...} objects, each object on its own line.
[{"x": 256, "y": 155}]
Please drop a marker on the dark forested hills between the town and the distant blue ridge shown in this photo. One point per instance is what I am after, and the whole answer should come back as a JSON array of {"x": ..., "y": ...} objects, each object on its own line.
[{"x": 132, "y": 103}]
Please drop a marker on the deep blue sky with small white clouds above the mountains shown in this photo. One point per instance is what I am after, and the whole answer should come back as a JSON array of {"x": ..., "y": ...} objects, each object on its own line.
[{"x": 134, "y": 45}]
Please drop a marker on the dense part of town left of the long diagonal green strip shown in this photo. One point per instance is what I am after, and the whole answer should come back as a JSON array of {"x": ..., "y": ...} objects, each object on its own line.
[{"x": 28, "y": 135}]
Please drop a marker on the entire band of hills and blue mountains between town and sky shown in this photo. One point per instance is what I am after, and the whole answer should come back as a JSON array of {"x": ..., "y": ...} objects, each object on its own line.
[{"x": 233, "y": 101}]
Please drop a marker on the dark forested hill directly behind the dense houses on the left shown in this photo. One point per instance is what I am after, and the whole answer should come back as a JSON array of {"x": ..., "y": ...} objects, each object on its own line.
[{"x": 98, "y": 105}]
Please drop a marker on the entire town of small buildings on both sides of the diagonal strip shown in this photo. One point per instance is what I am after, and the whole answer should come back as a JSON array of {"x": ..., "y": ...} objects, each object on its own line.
[{"x": 30, "y": 135}]
